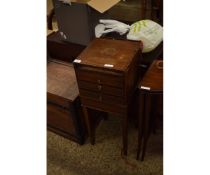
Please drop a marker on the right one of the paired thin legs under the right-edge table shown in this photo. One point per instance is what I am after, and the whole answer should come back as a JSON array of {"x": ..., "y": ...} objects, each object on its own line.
[{"x": 146, "y": 123}]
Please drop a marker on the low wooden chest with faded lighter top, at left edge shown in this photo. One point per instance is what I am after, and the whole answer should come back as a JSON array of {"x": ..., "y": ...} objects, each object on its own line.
[{"x": 64, "y": 114}]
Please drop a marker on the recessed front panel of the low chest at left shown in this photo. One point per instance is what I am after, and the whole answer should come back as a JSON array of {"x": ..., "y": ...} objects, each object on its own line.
[{"x": 60, "y": 118}]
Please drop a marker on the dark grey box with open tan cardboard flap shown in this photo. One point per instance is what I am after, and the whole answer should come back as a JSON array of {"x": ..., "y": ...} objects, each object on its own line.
[{"x": 77, "y": 21}]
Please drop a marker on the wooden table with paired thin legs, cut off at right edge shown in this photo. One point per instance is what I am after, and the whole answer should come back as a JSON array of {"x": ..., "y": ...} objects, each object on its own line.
[{"x": 149, "y": 86}]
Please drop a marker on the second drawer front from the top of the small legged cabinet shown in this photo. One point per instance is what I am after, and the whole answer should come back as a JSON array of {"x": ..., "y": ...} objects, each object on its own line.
[{"x": 101, "y": 88}]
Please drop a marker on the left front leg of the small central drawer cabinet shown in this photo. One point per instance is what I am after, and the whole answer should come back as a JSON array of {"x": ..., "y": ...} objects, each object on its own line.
[{"x": 91, "y": 133}]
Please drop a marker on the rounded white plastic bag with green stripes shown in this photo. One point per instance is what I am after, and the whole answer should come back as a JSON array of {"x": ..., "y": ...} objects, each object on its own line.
[{"x": 148, "y": 31}]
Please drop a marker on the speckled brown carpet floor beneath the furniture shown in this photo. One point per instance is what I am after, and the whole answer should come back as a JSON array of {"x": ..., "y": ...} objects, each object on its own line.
[{"x": 65, "y": 157}]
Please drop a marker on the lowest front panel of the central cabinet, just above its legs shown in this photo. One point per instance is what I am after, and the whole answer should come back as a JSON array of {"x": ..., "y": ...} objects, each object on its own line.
[{"x": 118, "y": 109}]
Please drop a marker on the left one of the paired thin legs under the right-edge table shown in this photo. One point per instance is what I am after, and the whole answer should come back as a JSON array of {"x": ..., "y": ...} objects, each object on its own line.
[{"x": 140, "y": 122}]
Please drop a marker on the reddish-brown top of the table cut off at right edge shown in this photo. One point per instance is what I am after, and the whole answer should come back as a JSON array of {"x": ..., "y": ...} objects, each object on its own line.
[{"x": 153, "y": 78}]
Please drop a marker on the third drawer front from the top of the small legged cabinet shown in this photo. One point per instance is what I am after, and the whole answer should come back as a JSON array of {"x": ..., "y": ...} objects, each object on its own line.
[{"x": 103, "y": 98}]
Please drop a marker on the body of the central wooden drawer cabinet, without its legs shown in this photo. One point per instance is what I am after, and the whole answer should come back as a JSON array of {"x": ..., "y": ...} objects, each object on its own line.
[{"x": 107, "y": 74}]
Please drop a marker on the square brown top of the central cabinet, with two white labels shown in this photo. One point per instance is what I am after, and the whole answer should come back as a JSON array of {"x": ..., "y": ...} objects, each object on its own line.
[{"x": 109, "y": 54}]
